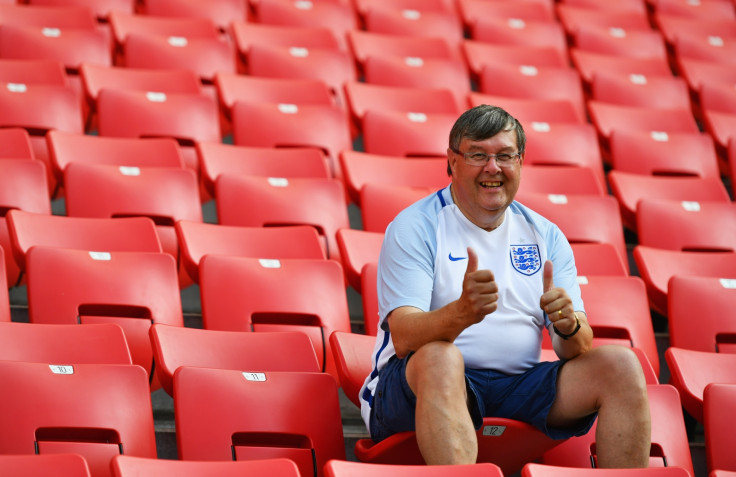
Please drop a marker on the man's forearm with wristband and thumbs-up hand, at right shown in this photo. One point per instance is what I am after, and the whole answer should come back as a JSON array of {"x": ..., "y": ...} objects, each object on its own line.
[{"x": 577, "y": 335}]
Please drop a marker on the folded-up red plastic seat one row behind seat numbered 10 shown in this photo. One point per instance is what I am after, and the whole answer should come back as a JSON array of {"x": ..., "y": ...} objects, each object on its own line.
[{"x": 132, "y": 289}]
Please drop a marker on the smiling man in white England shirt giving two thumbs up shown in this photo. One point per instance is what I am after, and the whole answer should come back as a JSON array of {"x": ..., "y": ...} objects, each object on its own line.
[{"x": 468, "y": 280}]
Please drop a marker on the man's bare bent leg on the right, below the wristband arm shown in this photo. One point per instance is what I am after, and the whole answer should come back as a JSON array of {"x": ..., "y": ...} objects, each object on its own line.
[{"x": 609, "y": 380}]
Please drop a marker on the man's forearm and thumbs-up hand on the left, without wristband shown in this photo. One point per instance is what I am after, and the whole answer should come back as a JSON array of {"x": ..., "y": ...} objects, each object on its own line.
[{"x": 411, "y": 328}]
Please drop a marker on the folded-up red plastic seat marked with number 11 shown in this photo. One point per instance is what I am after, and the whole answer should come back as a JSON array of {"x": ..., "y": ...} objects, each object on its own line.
[{"x": 237, "y": 423}]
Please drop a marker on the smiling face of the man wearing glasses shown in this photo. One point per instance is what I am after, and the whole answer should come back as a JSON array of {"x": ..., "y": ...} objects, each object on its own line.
[{"x": 483, "y": 193}]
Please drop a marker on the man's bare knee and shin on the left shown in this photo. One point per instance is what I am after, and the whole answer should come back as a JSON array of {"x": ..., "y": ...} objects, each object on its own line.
[{"x": 445, "y": 432}]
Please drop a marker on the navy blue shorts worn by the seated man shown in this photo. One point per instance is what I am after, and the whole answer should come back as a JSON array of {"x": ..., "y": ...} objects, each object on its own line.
[{"x": 525, "y": 397}]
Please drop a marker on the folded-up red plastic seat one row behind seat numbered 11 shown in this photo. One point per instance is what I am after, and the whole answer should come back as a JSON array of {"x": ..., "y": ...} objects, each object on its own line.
[{"x": 305, "y": 295}]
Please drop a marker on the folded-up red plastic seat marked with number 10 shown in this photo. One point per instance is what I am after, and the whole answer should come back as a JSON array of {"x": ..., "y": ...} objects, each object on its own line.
[{"x": 69, "y": 411}]
